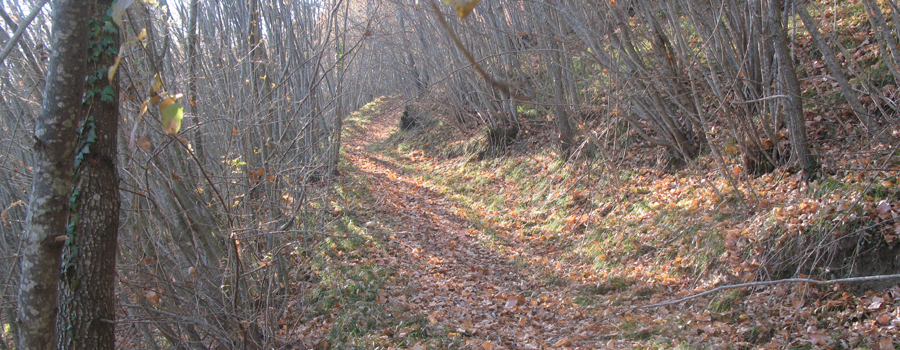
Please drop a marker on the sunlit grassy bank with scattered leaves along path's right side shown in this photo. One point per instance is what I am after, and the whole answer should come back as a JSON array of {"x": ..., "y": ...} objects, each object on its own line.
[{"x": 645, "y": 234}]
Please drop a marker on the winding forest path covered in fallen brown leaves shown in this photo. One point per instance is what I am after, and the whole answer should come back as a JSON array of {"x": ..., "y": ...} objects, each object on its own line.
[{"x": 478, "y": 288}]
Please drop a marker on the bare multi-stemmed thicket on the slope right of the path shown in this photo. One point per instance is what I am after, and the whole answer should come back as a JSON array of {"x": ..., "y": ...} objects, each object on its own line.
[{"x": 674, "y": 73}]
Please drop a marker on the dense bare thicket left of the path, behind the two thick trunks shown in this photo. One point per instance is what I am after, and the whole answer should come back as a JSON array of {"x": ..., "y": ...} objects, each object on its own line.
[{"x": 215, "y": 217}]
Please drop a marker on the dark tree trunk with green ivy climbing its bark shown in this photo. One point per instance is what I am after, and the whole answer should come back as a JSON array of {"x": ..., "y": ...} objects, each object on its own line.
[{"x": 87, "y": 289}]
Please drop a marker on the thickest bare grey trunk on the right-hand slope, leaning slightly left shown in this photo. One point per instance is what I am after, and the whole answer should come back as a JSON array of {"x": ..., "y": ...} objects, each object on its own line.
[{"x": 795, "y": 119}]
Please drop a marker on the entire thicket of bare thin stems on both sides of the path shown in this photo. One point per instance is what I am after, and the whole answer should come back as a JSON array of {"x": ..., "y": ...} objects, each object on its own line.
[{"x": 216, "y": 219}]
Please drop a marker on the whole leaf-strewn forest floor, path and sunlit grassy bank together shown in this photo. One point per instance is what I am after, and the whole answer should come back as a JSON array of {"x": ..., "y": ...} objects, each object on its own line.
[{"x": 431, "y": 252}]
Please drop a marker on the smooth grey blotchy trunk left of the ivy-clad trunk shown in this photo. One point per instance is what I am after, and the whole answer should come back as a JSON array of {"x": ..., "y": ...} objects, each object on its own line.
[{"x": 54, "y": 134}]
